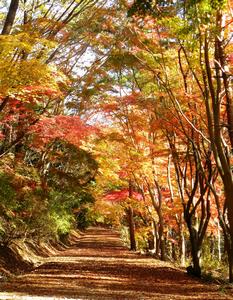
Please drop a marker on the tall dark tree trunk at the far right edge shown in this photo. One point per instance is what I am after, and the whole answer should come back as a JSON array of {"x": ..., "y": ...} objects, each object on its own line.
[{"x": 215, "y": 89}]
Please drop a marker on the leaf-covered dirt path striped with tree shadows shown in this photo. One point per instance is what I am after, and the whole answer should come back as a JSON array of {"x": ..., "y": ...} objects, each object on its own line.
[{"x": 99, "y": 267}]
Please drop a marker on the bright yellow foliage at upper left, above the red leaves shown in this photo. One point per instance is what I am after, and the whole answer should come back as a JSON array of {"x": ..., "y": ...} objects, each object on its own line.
[{"x": 23, "y": 62}]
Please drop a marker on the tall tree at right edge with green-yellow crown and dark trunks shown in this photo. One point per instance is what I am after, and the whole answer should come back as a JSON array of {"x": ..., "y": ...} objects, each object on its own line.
[{"x": 195, "y": 63}]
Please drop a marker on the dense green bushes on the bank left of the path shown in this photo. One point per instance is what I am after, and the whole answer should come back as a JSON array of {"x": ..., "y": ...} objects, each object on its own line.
[{"x": 28, "y": 208}]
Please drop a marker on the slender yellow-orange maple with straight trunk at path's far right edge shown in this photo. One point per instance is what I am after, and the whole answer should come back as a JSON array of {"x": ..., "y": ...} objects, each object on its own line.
[{"x": 140, "y": 146}]
